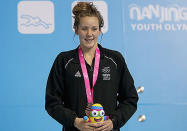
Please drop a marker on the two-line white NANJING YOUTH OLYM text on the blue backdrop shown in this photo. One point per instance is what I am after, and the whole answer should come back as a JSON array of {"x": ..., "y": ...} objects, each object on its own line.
[{"x": 158, "y": 18}]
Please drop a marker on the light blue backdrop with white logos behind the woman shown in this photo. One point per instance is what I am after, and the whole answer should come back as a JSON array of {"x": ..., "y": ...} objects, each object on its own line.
[{"x": 150, "y": 34}]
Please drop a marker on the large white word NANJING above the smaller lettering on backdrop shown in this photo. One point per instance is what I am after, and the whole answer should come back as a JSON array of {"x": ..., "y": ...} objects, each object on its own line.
[{"x": 163, "y": 14}]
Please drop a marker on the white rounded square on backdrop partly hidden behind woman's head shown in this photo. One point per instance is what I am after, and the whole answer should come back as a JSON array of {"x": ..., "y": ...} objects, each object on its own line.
[{"x": 102, "y": 7}]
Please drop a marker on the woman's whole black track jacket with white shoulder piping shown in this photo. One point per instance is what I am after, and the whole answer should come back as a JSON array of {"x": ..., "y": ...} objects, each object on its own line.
[{"x": 114, "y": 89}]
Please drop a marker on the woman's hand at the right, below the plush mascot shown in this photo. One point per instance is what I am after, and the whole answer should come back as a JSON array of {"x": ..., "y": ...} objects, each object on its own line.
[{"x": 106, "y": 125}]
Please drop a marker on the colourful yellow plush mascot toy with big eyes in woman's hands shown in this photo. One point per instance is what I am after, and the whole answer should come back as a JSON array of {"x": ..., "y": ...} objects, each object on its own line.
[{"x": 96, "y": 114}]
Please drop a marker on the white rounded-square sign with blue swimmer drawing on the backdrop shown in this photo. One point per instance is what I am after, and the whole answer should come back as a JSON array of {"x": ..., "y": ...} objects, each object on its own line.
[{"x": 35, "y": 17}]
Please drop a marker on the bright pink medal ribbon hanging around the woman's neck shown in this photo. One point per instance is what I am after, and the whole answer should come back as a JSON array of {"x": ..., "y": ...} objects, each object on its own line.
[{"x": 89, "y": 92}]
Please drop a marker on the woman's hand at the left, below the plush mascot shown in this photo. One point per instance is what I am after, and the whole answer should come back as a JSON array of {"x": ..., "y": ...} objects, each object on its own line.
[{"x": 80, "y": 124}]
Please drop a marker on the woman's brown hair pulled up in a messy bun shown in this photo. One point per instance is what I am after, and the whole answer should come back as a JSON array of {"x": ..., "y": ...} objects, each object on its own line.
[{"x": 83, "y": 9}]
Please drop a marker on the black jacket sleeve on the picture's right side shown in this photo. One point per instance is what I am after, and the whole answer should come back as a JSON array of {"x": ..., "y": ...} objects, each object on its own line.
[{"x": 127, "y": 98}]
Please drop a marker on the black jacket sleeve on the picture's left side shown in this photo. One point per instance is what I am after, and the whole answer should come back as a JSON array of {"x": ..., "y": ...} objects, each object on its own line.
[{"x": 55, "y": 95}]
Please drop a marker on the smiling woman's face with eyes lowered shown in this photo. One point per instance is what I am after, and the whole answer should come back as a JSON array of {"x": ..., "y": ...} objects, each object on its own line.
[{"x": 88, "y": 31}]
